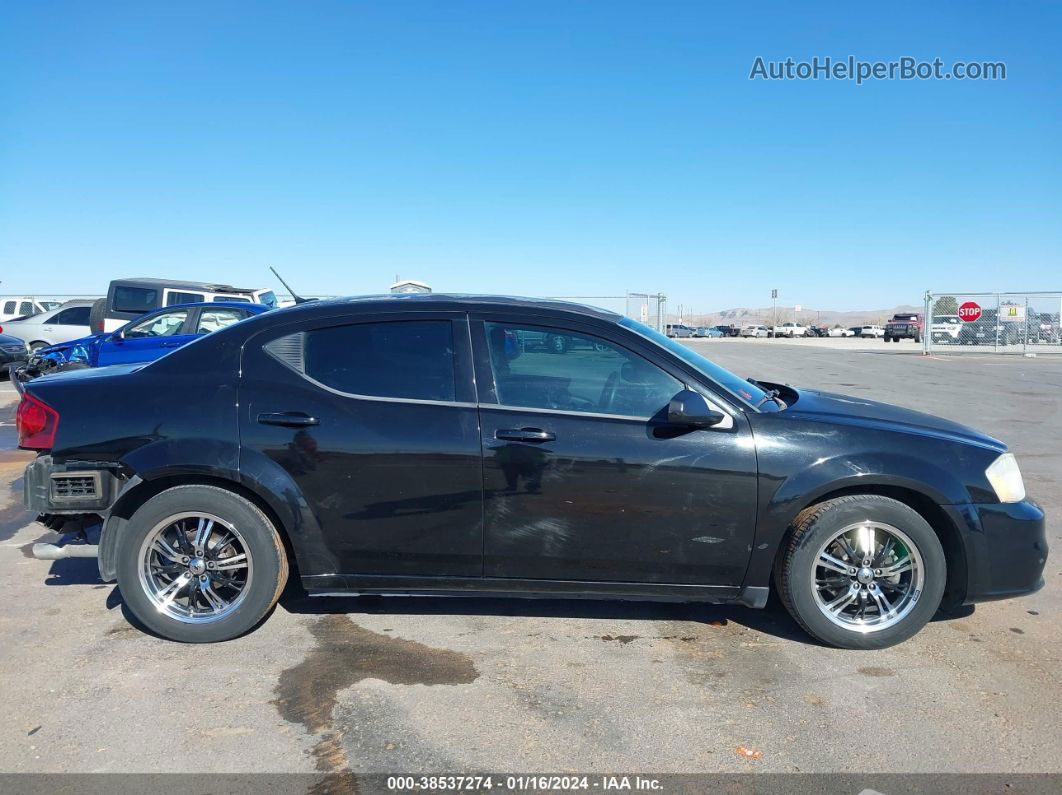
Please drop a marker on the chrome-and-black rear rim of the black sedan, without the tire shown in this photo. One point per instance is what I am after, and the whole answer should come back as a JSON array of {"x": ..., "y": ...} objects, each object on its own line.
[{"x": 195, "y": 568}]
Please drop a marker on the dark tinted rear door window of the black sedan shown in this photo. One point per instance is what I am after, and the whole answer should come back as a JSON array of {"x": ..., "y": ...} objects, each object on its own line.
[{"x": 403, "y": 359}]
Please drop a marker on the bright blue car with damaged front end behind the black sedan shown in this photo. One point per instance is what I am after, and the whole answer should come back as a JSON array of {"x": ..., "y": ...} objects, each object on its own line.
[{"x": 143, "y": 340}]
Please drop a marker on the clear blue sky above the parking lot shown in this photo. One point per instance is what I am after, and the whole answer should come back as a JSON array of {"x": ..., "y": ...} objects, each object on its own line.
[{"x": 529, "y": 148}]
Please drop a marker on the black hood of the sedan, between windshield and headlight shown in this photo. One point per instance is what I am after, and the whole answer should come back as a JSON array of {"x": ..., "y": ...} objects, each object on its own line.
[{"x": 833, "y": 408}]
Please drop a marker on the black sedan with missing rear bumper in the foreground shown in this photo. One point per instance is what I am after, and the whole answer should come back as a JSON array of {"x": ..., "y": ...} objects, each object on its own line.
[{"x": 406, "y": 445}]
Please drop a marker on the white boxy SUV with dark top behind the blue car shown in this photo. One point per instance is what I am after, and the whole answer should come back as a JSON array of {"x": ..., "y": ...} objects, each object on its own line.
[{"x": 128, "y": 300}]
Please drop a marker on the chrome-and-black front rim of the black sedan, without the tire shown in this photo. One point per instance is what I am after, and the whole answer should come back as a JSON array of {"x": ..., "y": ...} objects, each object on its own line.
[{"x": 868, "y": 577}]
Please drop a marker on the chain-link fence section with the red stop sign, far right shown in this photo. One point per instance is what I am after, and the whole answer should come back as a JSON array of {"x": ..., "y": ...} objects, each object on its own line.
[{"x": 999, "y": 323}]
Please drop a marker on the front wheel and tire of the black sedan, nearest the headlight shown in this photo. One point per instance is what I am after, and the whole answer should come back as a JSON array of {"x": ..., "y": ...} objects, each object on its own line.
[{"x": 799, "y": 565}]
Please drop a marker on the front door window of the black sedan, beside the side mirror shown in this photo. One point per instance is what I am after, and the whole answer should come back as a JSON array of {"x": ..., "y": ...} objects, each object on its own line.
[{"x": 541, "y": 368}]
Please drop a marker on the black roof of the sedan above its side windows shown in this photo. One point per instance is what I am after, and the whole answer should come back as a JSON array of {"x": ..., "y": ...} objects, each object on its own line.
[{"x": 443, "y": 302}]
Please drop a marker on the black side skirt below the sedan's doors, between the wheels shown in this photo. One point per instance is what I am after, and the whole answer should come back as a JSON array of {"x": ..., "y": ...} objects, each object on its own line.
[{"x": 336, "y": 585}]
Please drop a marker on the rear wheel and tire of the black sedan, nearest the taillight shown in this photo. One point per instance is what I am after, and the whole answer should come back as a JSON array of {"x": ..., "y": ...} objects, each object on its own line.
[{"x": 265, "y": 574}]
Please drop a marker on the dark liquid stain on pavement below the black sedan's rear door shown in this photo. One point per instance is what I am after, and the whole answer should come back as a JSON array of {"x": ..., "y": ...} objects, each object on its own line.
[{"x": 345, "y": 655}]
